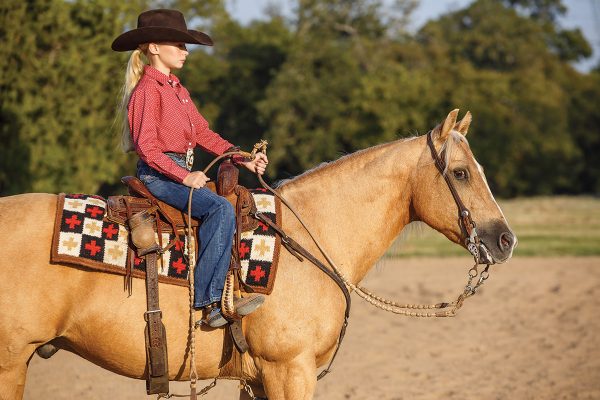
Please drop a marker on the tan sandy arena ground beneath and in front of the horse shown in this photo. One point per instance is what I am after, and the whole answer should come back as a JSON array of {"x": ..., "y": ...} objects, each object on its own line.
[{"x": 533, "y": 332}]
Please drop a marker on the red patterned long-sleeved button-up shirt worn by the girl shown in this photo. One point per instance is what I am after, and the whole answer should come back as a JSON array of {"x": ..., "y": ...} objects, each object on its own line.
[{"x": 163, "y": 118}]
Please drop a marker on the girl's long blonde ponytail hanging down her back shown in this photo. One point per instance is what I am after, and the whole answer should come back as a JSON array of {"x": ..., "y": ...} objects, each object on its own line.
[{"x": 133, "y": 74}]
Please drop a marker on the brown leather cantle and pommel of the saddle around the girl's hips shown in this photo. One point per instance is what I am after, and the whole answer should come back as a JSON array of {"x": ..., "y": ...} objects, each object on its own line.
[{"x": 121, "y": 207}]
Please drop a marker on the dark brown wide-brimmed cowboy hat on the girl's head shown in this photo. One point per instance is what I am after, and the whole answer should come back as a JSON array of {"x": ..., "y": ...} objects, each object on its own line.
[{"x": 159, "y": 26}]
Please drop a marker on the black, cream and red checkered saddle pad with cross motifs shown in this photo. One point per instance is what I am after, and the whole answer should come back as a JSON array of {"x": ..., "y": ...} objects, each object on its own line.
[{"x": 84, "y": 236}]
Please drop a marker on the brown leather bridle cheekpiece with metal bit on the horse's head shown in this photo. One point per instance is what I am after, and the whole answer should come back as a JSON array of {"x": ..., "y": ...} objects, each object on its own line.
[{"x": 466, "y": 223}]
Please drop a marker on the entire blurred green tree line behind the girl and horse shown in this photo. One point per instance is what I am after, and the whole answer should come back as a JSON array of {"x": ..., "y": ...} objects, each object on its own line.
[{"x": 336, "y": 76}]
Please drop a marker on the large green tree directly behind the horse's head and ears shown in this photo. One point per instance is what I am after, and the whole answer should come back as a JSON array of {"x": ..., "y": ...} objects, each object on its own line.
[{"x": 499, "y": 64}]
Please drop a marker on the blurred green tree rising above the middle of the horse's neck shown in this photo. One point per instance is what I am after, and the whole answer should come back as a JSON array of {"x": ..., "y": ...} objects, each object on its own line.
[{"x": 333, "y": 93}]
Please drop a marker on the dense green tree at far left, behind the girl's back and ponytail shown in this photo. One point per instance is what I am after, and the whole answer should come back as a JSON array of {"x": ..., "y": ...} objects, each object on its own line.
[{"x": 59, "y": 89}]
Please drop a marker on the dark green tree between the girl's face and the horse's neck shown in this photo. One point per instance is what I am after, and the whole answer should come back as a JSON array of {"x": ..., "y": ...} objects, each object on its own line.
[{"x": 229, "y": 82}]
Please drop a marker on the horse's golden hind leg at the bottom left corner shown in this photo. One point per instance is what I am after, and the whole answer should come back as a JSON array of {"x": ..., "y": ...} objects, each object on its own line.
[{"x": 13, "y": 371}]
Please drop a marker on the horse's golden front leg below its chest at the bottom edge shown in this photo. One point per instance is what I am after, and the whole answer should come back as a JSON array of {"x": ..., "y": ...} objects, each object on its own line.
[{"x": 290, "y": 380}]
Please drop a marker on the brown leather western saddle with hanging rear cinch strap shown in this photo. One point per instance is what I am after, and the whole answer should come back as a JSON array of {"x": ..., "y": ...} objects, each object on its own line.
[{"x": 145, "y": 215}]
